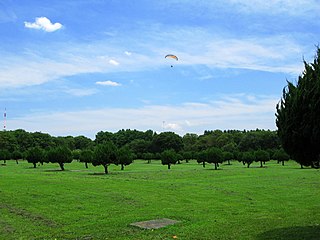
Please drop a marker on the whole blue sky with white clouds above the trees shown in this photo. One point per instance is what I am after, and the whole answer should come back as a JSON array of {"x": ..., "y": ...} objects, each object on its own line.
[{"x": 78, "y": 67}]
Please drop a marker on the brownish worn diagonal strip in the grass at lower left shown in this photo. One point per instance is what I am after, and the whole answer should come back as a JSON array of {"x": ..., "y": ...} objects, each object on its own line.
[{"x": 35, "y": 218}]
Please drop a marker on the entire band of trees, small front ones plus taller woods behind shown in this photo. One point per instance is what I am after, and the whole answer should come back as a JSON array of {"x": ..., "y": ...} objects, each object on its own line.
[{"x": 122, "y": 147}]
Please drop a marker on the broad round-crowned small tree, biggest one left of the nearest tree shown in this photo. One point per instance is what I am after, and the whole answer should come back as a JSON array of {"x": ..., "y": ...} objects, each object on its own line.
[{"x": 60, "y": 155}]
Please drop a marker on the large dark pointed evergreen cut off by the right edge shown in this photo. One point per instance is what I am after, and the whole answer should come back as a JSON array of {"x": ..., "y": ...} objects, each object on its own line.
[{"x": 298, "y": 116}]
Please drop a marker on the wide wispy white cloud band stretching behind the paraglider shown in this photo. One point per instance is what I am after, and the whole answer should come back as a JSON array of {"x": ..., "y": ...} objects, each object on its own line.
[{"x": 273, "y": 54}]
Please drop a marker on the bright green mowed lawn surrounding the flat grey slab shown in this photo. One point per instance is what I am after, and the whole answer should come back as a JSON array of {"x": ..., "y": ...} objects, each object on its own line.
[{"x": 235, "y": 202}]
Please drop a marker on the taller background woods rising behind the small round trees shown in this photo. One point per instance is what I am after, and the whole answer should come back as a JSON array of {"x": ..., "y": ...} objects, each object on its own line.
[{"x": 145, "y": 142}]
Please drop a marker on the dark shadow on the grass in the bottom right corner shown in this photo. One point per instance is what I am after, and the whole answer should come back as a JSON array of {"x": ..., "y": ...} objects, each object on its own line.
[{"x": 291, "y": 233}]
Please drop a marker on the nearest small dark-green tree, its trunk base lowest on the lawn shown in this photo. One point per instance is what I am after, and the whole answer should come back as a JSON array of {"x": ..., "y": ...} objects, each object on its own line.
[{"x": 104, "y": 154}]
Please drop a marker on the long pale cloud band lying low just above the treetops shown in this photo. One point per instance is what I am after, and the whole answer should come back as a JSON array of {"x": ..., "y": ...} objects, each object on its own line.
[{"x": 231, "y": 112}]
